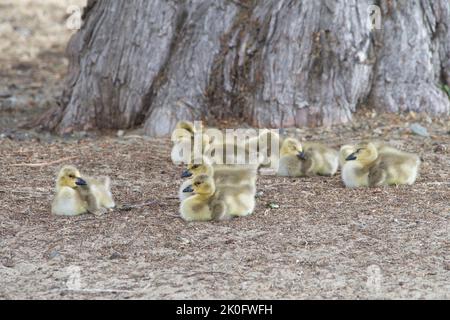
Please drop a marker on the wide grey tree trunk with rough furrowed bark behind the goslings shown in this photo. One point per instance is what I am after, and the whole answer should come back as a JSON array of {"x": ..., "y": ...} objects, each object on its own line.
[{"x": 272, "y": 63}]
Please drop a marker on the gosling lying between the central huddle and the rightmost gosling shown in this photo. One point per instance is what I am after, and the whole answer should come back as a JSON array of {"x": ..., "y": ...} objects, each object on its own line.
[{"x": 311, "y": 159}]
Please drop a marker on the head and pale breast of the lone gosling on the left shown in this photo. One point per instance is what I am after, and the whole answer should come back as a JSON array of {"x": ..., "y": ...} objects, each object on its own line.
[{"x": 68, "y": 201}]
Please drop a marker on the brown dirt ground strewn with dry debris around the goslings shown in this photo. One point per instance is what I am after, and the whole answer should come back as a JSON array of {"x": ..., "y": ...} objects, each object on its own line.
[{"x": 324, "y": 241}]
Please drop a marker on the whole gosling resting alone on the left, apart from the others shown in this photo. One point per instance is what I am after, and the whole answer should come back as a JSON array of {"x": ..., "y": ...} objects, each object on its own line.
[{"x": 77, "y": 195}]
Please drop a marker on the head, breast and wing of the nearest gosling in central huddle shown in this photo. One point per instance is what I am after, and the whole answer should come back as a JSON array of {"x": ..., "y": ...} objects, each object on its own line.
[{"x": 202, "y": 206}]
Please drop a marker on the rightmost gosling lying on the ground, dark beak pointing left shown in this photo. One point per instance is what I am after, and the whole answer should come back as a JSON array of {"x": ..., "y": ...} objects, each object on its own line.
[{"x": 369, "y": 166}]
